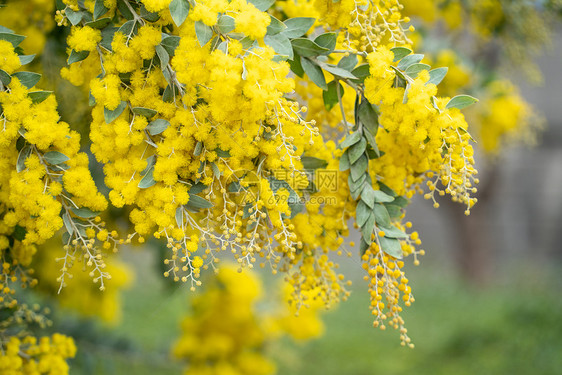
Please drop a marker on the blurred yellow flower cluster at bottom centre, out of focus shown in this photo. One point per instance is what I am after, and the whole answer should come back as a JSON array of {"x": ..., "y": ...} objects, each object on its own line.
[{"x": 225, "y": 334}]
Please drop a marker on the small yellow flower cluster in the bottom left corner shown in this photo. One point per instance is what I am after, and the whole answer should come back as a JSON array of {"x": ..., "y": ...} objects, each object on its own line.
[{"x": 30, "y": 356}]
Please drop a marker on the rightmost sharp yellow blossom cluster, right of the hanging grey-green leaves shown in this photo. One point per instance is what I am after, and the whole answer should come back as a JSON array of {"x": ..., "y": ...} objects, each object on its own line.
[{"x": 421, "y": 140}]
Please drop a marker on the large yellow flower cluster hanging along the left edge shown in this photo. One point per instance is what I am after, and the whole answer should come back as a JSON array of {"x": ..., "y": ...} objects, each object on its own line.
[{"x": 42, "y": 173}]
